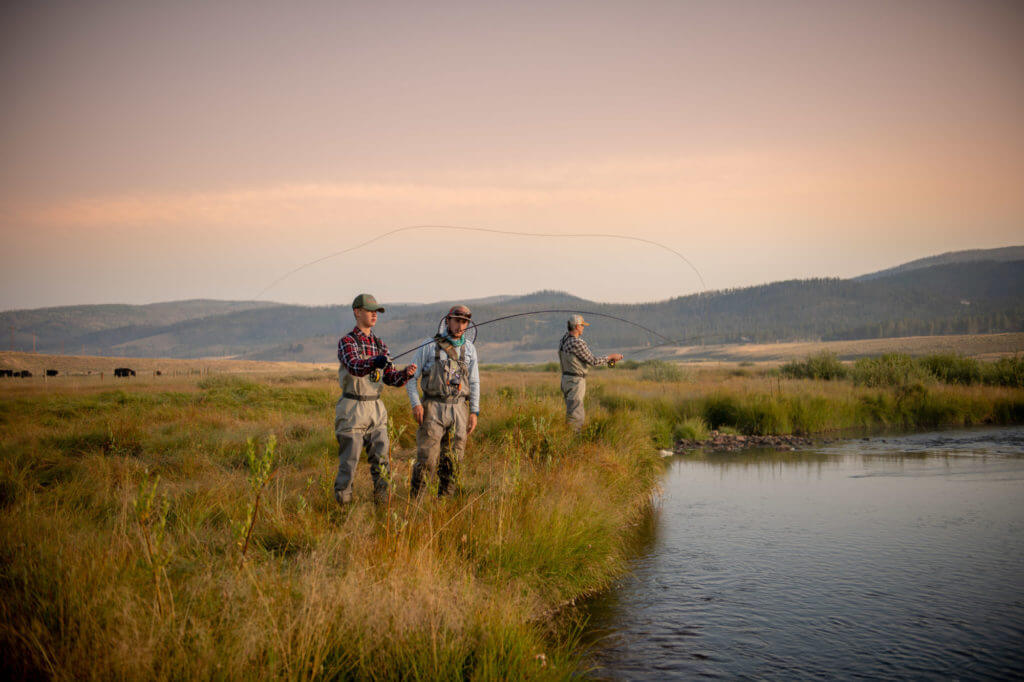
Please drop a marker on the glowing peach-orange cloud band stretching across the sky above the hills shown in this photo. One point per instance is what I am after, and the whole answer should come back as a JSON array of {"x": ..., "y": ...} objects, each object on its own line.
[{"x": 730, "y": 186}]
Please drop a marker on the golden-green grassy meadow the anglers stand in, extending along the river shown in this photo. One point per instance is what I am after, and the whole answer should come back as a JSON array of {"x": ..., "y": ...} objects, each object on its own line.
[{"x": 186, "y": 527}]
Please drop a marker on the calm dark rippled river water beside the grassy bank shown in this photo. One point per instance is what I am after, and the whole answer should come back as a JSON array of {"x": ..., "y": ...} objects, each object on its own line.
[{"x": 892, "y": 558}]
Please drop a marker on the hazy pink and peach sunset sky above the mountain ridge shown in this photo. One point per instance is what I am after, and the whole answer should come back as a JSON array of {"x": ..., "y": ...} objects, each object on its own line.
[{"x": 161, "y": 151}]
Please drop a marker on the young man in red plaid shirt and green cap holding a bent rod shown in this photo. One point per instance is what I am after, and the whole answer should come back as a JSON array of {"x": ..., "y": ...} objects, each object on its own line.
[{"x": 360, "y": 418}]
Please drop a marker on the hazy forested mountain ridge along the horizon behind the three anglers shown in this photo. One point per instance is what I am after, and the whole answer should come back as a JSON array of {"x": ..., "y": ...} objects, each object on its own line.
[{"x": 958, "y": 294}]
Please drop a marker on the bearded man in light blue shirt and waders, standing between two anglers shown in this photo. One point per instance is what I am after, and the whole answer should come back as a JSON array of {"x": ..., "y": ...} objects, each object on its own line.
[{"x": 450, "y": 376}]
